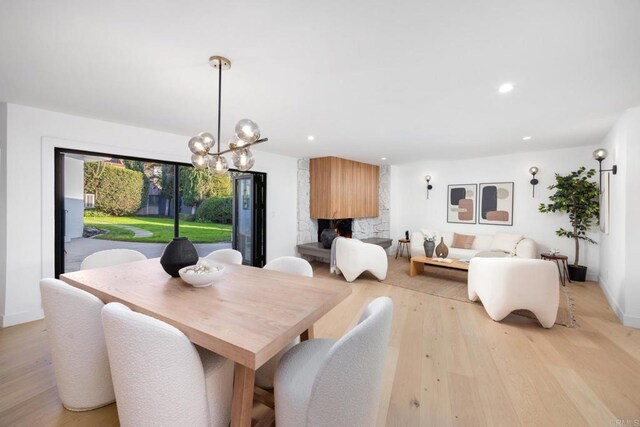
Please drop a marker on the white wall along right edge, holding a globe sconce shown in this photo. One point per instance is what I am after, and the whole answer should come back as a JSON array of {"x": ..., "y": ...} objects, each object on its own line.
[{"x": 620, "y": 252}]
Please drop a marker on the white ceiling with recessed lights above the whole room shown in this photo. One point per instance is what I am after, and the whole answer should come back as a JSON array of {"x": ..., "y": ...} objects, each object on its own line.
[{"x": 406, "y": 80}]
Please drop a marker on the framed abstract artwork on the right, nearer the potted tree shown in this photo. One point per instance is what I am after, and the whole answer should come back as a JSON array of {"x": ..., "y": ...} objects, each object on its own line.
[{"x": 495, "y": 204}]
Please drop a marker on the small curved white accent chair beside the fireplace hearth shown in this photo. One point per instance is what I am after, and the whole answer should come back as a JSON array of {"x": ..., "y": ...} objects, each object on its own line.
[{"x": 354, "y": 257}]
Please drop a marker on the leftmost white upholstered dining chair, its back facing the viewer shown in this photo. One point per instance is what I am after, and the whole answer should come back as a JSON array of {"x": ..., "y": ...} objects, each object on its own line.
[{"x": 78, "y": 348}]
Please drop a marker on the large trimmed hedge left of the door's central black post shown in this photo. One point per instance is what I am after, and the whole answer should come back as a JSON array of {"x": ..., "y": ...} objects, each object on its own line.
[{"x": 118, "y": 190}]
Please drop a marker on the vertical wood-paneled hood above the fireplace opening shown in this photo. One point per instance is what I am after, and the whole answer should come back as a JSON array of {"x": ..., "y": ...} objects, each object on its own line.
[{"x": 342, "y": 188}]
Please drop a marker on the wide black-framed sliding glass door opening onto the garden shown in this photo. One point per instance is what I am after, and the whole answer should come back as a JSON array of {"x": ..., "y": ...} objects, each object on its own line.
[{"x": 107, "y": 201}]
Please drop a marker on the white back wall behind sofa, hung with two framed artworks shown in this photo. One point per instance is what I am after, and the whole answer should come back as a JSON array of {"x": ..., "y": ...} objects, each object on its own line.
[{"x": 411, "y": 210}]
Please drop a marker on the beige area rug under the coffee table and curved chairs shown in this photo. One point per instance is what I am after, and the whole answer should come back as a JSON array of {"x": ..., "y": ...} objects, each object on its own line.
[{"x": 448, "y": 283}]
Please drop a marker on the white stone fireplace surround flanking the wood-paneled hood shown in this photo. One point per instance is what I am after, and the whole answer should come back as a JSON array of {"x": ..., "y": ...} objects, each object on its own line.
[{"x": 361, "y": 227}]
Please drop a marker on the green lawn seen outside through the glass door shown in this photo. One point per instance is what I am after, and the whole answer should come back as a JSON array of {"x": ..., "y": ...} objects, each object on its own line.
[{"x": 162, "y": 229}]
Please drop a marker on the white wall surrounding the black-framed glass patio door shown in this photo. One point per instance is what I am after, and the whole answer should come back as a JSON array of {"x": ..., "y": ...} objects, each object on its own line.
[{"x": 33, "y": 133}]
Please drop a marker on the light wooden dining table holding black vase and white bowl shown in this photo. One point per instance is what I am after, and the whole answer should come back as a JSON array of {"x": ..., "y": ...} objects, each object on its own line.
[{"x": 248, "y": 315}]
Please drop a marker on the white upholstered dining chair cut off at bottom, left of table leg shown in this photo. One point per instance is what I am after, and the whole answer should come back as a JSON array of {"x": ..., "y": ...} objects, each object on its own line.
[{"x": 160, "y": 377}]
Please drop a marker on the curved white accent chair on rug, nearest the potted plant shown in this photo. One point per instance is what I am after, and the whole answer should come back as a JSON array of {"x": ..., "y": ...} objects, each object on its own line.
[{"x": 507, "y": 284}]
